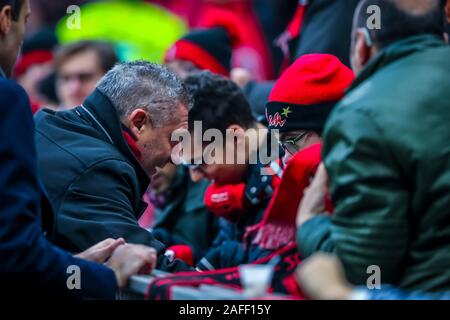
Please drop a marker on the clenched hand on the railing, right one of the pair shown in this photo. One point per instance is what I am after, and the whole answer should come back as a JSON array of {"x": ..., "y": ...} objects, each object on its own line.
[{"x": 131, "y": 259}]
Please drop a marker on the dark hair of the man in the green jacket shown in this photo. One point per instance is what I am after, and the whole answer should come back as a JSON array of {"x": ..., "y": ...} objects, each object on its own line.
[{"x": 398, "y": 22}]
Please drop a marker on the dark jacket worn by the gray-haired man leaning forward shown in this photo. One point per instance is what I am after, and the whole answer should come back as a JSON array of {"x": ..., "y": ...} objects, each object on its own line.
[{"x": 93, "y": 179}]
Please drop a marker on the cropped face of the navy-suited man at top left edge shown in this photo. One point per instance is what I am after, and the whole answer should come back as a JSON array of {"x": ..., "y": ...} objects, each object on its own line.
[{"x": 12, "y": 33}]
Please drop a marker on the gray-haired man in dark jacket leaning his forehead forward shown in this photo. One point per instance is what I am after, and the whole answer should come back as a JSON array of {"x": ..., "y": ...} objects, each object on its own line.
[{"x": 95, "y": 160}]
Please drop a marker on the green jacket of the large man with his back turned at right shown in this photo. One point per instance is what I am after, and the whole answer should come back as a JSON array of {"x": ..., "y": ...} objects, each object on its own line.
[{"x": 387, "y": 153}]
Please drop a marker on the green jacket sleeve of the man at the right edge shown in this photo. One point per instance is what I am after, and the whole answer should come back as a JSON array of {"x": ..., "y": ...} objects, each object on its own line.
[{"x": 370, "y": 222}]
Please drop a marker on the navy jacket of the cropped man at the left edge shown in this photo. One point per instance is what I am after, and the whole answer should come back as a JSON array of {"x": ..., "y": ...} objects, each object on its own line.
[{"x": 30, "y": 266}]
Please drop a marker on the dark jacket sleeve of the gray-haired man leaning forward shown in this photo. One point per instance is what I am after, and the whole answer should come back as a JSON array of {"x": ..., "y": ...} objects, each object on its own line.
[{"x": 98, "y": 206}]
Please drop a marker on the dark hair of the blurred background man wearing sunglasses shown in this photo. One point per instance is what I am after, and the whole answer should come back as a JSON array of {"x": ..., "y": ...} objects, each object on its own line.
[{"x": 105, "y": 52}]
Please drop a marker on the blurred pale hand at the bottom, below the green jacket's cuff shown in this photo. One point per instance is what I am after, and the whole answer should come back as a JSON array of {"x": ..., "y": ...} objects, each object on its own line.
[{"x": 322, "y": 277}]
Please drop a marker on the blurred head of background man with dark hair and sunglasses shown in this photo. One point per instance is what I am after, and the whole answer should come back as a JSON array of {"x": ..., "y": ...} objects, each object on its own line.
[{"x": 79, "y": 66}]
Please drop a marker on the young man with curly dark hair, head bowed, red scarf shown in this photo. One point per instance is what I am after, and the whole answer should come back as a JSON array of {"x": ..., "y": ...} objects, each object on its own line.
[{"x": 239, "y": 192}]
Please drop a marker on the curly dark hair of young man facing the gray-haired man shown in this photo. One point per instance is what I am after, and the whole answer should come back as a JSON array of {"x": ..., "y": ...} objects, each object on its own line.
[{"x": 218, "y": 102}]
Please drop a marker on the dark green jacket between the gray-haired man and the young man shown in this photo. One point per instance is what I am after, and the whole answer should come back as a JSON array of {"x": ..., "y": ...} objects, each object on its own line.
[{"x": 185, "y": 218}]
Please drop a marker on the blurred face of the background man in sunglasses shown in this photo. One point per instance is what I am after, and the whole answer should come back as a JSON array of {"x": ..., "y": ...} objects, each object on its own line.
[{"x": 77, "y": 77}]
